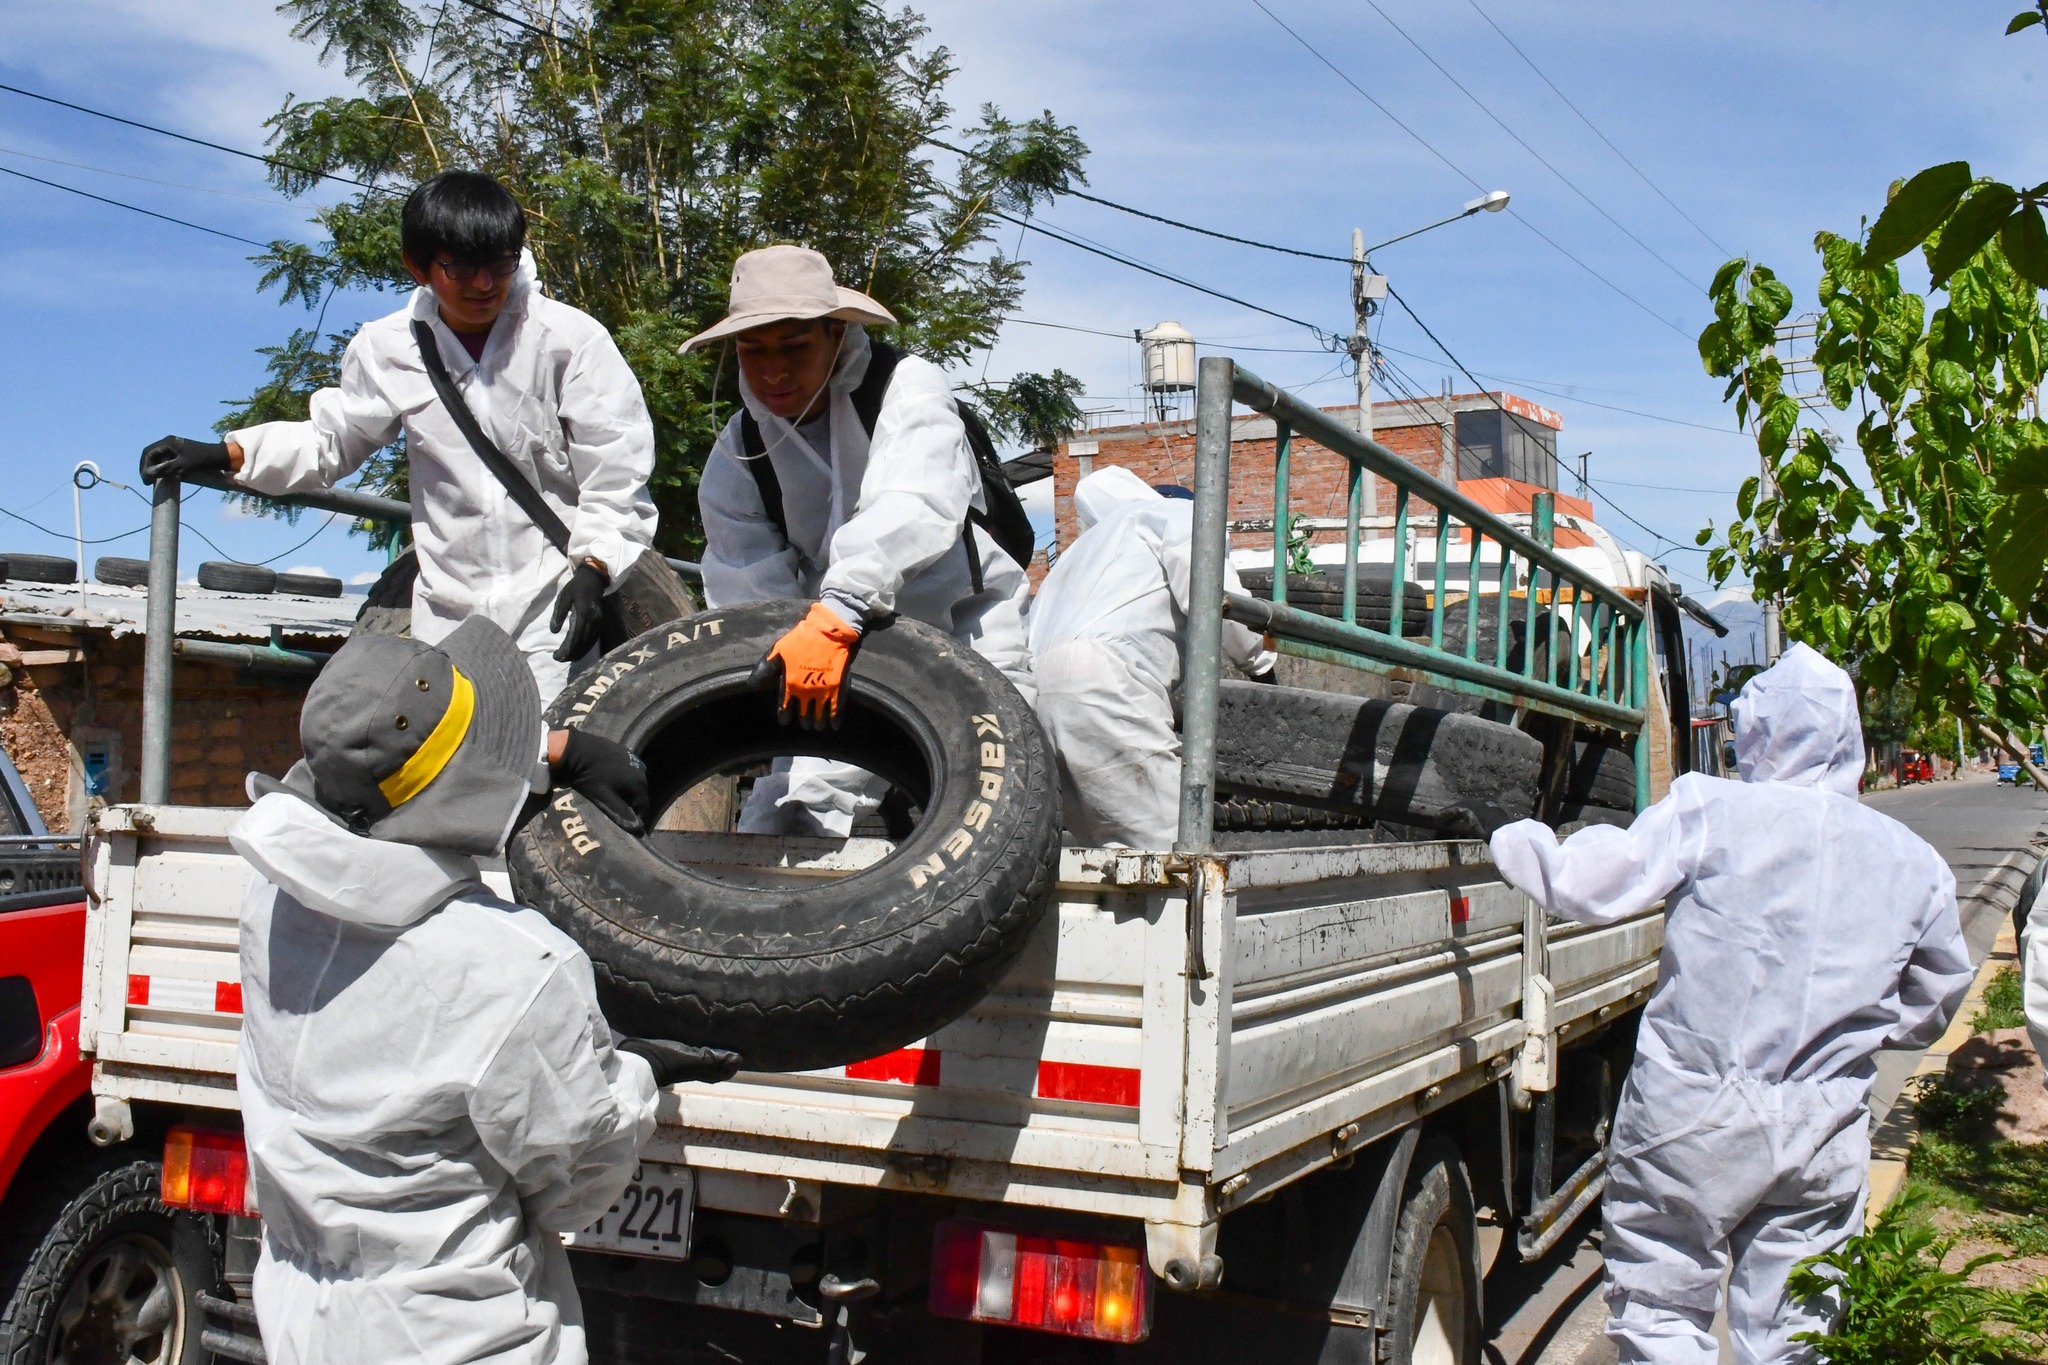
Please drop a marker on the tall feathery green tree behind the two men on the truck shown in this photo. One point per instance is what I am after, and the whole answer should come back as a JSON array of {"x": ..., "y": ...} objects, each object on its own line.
[{"x": 654, "y": 142}]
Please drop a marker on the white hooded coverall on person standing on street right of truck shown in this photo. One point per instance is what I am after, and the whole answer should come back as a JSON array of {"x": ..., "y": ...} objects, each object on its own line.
[{"x": 1805, "y": 932}]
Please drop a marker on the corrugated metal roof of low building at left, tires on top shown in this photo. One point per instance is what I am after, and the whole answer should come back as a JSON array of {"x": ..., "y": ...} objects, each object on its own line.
[{"x": 202, "y": 611}]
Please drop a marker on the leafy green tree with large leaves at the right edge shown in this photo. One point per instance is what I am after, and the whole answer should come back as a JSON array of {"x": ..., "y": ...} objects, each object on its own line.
[{"x": 1928, "y": 578}]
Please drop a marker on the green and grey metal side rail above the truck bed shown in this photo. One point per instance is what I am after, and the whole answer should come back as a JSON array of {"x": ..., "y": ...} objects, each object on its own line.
[{"x": 1607, "y": 685}]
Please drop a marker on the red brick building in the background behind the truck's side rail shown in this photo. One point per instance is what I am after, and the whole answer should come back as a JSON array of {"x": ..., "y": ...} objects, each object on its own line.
[{"x": 1459, "y": 439}]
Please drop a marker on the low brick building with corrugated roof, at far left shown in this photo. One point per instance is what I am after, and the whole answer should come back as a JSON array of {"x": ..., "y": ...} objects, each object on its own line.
[{"x": 71, "y": 693}]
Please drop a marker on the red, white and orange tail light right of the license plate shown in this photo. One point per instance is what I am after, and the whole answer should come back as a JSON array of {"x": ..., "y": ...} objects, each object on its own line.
[{"x": 1095, "y": 1290}]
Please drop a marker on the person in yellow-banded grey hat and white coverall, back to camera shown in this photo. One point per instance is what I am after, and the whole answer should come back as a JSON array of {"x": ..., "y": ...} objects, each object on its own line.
[{"x": 429, "y": 1090}]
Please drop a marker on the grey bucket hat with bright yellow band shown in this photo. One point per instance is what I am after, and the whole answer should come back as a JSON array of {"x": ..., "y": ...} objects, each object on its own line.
[{"x": 433, "y": 746}]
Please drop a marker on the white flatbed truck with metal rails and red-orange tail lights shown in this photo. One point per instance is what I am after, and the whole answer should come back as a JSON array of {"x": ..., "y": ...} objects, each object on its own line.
[{"x": 1226, "y": 1102}]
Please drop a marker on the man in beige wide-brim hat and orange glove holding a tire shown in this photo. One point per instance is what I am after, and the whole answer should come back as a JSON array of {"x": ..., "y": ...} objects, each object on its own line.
[{"x": 849, "y": 494}]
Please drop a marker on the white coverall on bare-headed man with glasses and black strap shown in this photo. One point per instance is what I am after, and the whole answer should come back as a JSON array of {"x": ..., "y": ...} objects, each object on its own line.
[{"x": 554, "y": 396}]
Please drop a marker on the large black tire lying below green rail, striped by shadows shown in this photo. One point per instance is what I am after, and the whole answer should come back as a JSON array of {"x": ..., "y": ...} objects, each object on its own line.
[{"x": 1383, "y": 760}]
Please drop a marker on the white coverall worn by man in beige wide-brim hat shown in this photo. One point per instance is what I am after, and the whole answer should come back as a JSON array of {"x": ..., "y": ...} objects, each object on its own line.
[{"x": 865, "y": 535}]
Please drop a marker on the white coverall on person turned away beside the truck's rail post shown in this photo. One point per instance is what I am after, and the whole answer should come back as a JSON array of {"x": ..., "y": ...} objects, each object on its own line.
[{"x": 1107, "y": 654}]
